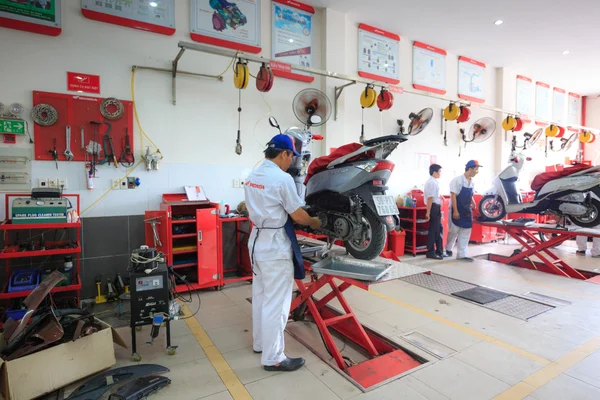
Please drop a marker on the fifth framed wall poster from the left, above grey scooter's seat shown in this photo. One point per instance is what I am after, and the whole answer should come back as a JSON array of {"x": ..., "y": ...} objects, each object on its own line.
[{"x": 378, "y": 53}]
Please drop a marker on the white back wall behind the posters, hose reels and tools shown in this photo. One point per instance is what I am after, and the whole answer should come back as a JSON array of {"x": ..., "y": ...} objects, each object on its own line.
[{"x": 197, "y": 136}]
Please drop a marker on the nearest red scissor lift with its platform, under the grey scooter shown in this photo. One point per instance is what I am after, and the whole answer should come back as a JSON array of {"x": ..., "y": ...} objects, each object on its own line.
[{"x": 384, "y": 360}]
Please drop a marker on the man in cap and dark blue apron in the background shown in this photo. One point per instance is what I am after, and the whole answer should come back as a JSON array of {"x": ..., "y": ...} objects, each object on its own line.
[{"x": 461, "y": 211}]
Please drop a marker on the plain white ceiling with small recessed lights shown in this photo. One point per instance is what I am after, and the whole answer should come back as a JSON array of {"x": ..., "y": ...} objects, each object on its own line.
[{"x": 531, "y": 39}]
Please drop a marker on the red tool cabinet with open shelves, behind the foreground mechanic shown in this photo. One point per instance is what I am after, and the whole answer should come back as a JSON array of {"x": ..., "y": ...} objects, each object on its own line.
[{"x": 190, "y": 236}]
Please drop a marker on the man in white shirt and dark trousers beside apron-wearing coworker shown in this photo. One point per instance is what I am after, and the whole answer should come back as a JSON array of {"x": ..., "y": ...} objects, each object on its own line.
[{"x": 431, "y": 192}]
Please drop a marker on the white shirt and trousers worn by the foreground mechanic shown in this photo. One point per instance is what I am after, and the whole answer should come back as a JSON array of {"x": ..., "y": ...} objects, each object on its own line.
[{"x": 270, "y": 197}]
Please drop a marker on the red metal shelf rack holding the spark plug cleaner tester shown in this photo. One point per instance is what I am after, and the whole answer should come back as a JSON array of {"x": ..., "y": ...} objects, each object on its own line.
[{"x": 10, "y": 252}]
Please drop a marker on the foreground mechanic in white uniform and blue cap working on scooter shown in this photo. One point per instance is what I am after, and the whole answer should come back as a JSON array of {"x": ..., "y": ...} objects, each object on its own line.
[{"x": 272, "y": 198}]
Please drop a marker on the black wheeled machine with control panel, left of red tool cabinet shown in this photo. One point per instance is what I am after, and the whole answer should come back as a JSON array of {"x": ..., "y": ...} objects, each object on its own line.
[{"x": 150, "y": 296}]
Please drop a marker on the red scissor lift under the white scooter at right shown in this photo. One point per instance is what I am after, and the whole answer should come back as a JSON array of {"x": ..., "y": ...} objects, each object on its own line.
[{"x": 528, "y": 236}]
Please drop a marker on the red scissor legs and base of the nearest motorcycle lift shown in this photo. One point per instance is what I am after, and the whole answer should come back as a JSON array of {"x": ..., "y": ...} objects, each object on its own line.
[{"x": 386, "y": 360}]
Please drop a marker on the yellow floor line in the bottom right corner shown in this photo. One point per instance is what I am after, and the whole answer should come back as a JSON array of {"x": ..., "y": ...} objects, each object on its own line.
[{"x": 535, "y": 381}]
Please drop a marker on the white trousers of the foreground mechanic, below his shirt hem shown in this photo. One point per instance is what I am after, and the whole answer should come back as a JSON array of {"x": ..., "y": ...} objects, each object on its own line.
[{"x": 271, "y": 300}]
